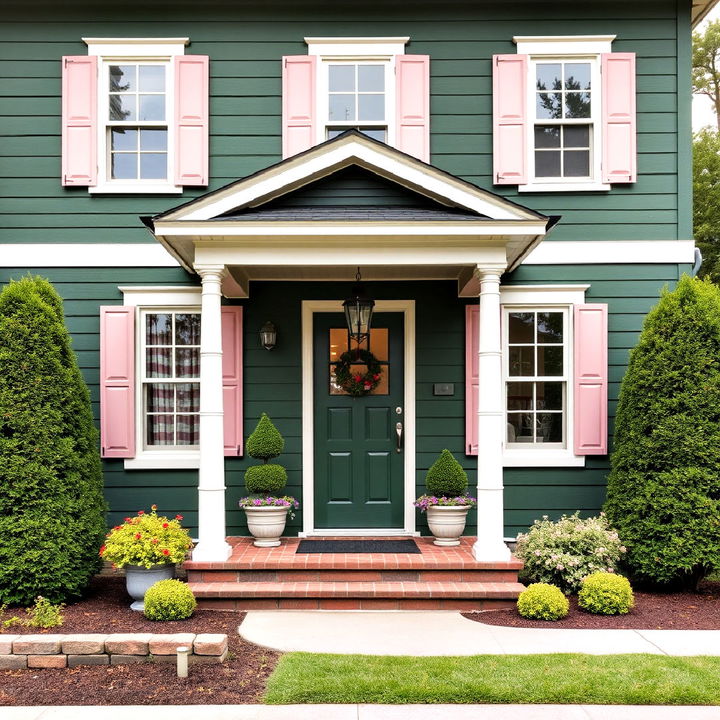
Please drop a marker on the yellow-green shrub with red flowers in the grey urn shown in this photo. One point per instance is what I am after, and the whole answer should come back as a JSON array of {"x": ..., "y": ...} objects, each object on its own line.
[{"x": 146, "y": 540}]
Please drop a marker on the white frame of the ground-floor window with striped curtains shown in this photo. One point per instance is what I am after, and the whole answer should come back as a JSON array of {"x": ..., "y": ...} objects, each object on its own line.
[{"x": 149, "y": 299}]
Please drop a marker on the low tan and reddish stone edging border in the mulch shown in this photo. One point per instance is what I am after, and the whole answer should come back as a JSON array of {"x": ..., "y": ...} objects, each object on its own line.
[{"x": 18, "y": 652}]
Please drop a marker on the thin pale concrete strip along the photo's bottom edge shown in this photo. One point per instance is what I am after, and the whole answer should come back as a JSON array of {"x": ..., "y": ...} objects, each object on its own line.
[{"x": 366, "y": 712}]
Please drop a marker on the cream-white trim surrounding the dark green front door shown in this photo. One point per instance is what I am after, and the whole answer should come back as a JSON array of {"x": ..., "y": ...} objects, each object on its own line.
[{"x": 309, "y": 307}]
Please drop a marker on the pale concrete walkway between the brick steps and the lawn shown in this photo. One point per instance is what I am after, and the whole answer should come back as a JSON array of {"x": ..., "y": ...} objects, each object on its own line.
[{"x": 449, "y": 633}]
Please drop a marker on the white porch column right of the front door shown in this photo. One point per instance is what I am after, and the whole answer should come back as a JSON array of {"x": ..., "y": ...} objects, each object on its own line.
[{"x": 489, "y": 546}]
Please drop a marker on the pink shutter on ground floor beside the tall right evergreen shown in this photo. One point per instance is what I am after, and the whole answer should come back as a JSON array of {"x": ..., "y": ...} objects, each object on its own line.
[{"x": 591, "y": 378}]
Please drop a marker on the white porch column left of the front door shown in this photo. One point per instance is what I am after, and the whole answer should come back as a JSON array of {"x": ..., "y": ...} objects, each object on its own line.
[{"x": 212, "y": 545}]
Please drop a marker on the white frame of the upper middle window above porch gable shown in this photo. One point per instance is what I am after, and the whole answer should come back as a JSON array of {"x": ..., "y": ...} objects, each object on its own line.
[{"x": 351, "y": 51}]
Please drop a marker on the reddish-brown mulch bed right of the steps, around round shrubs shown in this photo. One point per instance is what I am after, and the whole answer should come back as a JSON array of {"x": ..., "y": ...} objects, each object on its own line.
[{"x": 652, "y": 611}]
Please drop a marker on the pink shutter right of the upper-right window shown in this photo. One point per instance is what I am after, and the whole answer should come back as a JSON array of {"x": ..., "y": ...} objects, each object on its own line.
[{"x": 619, "y": 163}]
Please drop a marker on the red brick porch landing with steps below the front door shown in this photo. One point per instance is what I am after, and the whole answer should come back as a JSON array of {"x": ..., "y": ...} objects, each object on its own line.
[{"x": 278, "y": 578}]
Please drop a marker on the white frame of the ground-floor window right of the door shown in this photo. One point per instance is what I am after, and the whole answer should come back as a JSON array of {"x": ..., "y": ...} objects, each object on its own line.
[{"x": 539, "y": 298}]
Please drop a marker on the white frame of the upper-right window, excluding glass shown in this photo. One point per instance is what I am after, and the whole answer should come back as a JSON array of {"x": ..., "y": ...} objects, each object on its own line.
[{"x": 566, "y": 49}]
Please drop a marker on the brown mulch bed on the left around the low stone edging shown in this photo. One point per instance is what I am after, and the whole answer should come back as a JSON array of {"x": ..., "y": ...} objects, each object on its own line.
[{"x": 105, "y": 609}]
